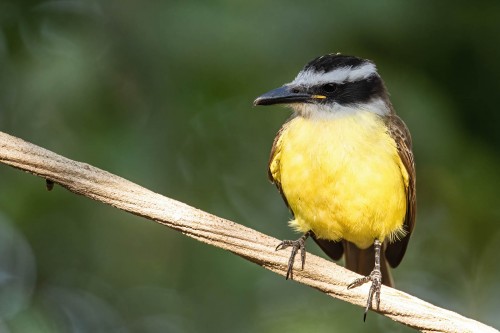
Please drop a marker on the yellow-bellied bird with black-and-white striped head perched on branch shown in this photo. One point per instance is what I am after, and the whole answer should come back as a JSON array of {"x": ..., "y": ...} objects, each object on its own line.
[{"x": 344, "y": 165}]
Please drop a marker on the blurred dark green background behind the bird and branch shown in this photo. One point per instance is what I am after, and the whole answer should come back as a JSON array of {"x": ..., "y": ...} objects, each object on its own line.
[{"x": 161, "y": 93}]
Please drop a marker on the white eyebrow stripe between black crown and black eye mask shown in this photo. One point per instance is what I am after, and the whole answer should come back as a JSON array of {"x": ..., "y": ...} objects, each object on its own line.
[{"x": 310, "y": 78}]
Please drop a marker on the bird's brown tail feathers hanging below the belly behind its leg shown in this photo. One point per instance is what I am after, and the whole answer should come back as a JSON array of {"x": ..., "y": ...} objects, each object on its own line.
[{"x": 363, "y": 261}]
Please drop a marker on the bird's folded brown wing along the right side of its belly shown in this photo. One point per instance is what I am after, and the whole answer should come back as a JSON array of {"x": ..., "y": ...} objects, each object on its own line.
[{"x": 400, "y": 133}]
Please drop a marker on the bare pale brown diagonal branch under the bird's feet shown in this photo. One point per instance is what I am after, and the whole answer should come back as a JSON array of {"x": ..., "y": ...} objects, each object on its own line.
[{"x": 331, "y": 279}]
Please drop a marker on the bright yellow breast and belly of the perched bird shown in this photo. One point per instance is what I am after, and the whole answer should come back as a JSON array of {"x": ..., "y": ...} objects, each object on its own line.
[{"x": 342, "y": 178}]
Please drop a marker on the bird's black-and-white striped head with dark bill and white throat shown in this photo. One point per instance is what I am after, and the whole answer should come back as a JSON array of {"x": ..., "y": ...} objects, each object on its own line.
[{"x": 333, "y": 85}]
